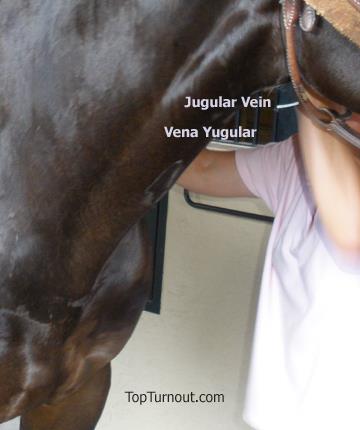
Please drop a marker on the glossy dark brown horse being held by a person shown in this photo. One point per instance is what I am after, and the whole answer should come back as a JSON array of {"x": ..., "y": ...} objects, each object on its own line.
[{"x": 87, "y": 87}]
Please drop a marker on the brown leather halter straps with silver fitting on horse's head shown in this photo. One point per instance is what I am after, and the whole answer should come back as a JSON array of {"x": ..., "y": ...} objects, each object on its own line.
[{"x": 320, "y": 113}]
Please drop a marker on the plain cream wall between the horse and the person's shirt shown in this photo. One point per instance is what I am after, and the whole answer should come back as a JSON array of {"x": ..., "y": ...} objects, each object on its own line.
[{"x": 201, "y": 340}]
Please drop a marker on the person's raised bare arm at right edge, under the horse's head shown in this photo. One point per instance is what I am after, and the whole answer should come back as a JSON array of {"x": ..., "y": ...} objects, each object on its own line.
[{"x": 333, "y": 169}]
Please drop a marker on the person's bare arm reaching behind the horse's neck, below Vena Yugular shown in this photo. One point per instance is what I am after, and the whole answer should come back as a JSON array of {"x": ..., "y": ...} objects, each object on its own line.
[{"x": 214, "y": 173}]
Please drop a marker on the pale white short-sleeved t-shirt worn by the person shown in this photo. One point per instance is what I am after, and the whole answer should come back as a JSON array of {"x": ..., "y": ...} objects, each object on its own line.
[{"x": 305, "y": 367}]
